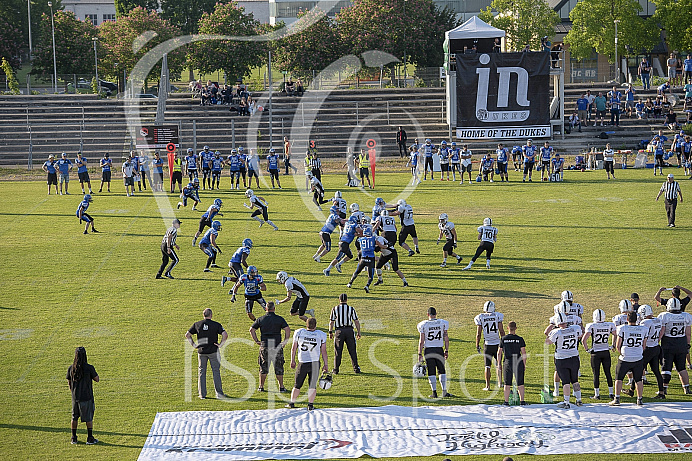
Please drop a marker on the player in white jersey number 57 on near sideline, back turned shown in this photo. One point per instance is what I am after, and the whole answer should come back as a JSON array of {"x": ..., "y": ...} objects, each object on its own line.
[{"x": 310, "y": 344}]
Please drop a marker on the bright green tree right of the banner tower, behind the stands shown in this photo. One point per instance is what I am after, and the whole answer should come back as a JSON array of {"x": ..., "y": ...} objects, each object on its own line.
[{"x": 593, "y": 27}]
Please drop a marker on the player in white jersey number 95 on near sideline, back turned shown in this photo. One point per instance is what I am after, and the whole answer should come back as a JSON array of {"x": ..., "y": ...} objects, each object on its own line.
[{"x": 631, "y": 342}]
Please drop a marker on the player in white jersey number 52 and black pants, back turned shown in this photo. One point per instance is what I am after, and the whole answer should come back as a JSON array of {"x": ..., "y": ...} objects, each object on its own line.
[{"x": 566, "y": 340}]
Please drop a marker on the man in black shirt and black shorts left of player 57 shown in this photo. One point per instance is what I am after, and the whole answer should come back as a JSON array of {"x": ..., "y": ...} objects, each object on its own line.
[{"x": 271, "y": 347}]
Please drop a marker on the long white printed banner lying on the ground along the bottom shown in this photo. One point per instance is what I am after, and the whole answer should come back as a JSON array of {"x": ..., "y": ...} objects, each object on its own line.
[{"x": 395, "y": 431}]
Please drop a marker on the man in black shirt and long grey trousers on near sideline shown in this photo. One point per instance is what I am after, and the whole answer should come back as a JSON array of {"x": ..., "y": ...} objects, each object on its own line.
[{"x": 208, "y": 332}]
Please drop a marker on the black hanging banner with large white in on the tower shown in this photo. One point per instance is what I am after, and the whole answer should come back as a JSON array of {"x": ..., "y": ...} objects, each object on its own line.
[{"x": 503, "y": 95}]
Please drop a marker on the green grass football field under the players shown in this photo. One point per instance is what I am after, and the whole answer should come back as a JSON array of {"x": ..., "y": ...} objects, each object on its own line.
[{"x": 60, "y": 289}]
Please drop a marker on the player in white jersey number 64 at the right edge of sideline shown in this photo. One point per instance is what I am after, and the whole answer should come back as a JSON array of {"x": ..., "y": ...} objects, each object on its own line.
[{"x": 675, "y": 343}]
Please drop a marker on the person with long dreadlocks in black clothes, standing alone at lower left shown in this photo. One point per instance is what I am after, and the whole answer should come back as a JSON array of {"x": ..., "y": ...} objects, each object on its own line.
[{"x": 79, "y": 377}]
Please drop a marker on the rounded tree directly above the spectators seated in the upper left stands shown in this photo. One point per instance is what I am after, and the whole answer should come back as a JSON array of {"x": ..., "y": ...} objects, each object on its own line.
[{"x": 235, "y": 58}]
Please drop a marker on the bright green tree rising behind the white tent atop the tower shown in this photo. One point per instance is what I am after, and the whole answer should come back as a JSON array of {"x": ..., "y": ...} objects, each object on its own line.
[{"x": 524, "y": 21}]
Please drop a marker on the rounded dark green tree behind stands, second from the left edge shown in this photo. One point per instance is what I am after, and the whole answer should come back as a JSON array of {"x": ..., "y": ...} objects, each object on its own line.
[{"x": 73, "y": 45}]
